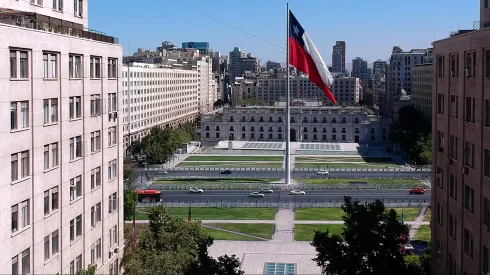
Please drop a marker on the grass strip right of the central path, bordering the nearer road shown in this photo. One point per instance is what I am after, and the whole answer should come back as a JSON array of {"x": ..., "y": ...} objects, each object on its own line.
[{"x": 335, "y": 214}]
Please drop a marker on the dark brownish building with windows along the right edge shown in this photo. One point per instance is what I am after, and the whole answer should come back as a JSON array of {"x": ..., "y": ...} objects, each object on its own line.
[{"x": 461, "y": 146}]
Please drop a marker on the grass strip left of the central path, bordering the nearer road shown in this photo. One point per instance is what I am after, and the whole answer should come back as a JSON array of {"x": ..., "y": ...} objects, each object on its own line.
[{"x": 211, "y": 213}]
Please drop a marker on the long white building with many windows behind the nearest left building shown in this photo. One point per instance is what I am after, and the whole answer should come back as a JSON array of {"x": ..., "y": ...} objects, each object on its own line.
[{"x": 157, "y": 95}]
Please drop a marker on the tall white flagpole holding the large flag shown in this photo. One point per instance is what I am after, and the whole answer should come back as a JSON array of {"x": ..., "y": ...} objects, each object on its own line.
[{"x": 288, "y": 103}]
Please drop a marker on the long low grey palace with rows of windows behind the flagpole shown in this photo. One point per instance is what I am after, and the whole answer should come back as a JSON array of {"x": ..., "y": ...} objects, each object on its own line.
[{"x": 308, "y": 124}]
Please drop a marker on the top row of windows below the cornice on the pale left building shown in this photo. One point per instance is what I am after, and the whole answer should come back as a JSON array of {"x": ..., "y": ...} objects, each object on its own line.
[{"x": 20, "y": 60}]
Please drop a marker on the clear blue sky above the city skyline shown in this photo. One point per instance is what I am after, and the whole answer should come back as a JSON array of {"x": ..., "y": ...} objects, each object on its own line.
[{"x": 370, "y": 27}]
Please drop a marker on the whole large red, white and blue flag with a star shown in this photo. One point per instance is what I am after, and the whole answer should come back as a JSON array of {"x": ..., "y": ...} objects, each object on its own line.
[{"x": 305, "y": 57}]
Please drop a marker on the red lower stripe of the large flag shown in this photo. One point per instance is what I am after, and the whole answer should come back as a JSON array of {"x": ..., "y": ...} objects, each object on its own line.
[{"x": 302, "y": 60}]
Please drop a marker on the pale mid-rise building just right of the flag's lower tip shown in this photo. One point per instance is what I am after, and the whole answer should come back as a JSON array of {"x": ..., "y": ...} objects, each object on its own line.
[{"x": 346, "y": 90}]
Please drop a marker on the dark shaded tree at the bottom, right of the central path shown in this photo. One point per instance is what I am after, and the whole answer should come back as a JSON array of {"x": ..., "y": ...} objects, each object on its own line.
[{"x": 369, "y": 244}]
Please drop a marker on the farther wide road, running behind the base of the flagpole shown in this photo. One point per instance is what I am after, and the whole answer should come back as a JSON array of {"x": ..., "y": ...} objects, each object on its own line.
[{"x": 297, "y": 174}]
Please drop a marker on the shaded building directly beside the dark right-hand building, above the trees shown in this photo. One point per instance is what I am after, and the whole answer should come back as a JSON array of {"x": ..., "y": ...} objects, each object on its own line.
[{"x": 422, "y": 78}]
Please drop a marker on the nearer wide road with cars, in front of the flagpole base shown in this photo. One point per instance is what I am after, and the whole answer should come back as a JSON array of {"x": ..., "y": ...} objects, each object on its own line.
[{"x": 285, "y": 196}]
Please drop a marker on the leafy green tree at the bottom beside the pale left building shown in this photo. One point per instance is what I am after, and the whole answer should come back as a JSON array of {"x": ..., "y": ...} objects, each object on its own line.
[{"x": 172, "y": 246}]
